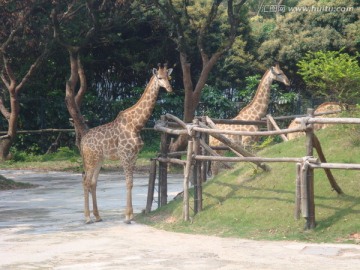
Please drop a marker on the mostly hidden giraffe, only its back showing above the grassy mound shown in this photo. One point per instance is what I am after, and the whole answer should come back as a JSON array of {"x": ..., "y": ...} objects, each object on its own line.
[{"x": 324, "y": 107}]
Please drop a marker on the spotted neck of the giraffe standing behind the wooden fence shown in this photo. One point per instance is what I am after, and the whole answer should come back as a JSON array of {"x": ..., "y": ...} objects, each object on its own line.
[{"x": 257, "y": 108}]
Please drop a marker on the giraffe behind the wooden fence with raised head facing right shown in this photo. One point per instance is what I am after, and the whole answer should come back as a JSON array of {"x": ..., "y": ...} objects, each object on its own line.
[{"x": 255, "y": 110}]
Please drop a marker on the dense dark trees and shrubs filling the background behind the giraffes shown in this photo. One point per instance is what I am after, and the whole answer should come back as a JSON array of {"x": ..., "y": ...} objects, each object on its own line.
[{"x": 118, "y": 64}]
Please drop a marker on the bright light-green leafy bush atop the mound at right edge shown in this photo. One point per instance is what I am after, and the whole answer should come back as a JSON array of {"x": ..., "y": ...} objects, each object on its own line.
[{"x": 331, "y": 74}]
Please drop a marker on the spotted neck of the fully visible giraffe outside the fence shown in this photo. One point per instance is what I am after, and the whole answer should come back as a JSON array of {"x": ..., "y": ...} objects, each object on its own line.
[{"x": 135, "y": 117}]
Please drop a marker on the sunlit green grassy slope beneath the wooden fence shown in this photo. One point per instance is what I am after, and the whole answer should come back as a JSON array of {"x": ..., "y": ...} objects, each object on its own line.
[{"x": 247, "y": 203}]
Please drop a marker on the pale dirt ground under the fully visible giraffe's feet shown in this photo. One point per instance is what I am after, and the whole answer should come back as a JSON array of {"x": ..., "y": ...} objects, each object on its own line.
[{"x": 42, "y": 228}]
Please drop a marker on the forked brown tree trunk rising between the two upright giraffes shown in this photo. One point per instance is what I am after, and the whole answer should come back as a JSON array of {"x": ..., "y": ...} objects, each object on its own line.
[{"x": 182, "y": 21}]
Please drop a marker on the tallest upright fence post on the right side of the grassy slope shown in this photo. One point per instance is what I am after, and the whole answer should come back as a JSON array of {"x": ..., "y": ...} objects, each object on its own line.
[{"x": 310, "y": 219}]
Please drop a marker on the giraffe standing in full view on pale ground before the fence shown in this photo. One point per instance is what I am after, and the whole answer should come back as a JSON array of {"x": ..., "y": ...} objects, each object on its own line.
[{"x": 120, "y": 140}]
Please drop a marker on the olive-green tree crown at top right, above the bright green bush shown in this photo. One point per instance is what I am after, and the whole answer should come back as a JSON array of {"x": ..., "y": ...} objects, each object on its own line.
[{"x": 298, "y": 32}]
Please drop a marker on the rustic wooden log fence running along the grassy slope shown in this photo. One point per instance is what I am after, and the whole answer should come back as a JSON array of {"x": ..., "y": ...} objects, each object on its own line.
[{"x": 199, "y": 152}]
